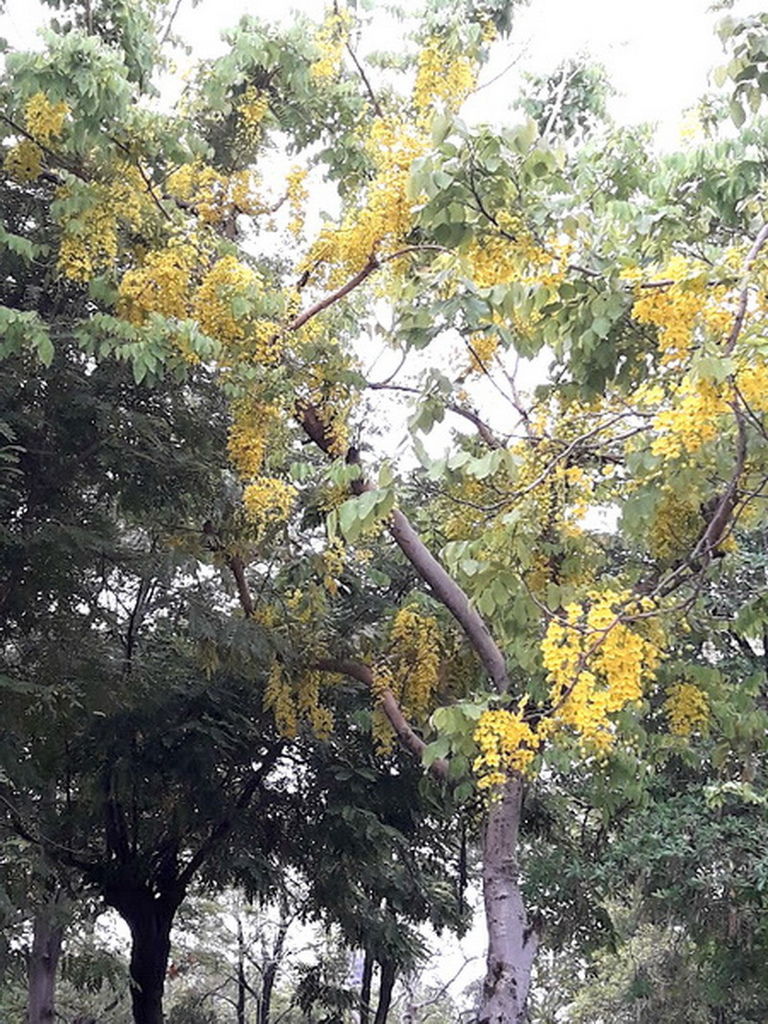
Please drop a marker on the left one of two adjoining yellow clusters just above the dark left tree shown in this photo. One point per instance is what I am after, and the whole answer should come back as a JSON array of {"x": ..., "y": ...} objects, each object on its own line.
[{"x": 161, "y": 284}]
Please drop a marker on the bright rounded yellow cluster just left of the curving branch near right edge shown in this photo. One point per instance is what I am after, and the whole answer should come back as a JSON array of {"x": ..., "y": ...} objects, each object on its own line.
[{"x": 696, "y": 418}]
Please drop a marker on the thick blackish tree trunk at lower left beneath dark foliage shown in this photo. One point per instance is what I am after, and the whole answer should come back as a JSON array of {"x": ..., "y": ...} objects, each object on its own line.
[{"x": 150, "y": 920}]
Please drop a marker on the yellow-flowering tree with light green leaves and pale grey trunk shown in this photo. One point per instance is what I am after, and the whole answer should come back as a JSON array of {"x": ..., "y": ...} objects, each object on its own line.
[{"x": 538, "y": 634}]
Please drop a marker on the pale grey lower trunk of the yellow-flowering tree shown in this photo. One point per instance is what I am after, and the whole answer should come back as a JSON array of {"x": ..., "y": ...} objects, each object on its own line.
[{"x": 513, "y": 943}]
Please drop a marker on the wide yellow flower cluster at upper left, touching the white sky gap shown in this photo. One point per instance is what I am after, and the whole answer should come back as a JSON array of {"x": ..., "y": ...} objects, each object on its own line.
[{"x": 216, "y": 197}]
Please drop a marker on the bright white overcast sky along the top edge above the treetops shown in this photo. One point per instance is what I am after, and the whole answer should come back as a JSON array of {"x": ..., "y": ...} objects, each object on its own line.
[{"x": 658, "y": 53}]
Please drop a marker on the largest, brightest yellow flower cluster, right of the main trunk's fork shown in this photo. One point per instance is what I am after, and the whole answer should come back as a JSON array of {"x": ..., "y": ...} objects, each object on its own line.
[{"x": 596, "y": 665}]
